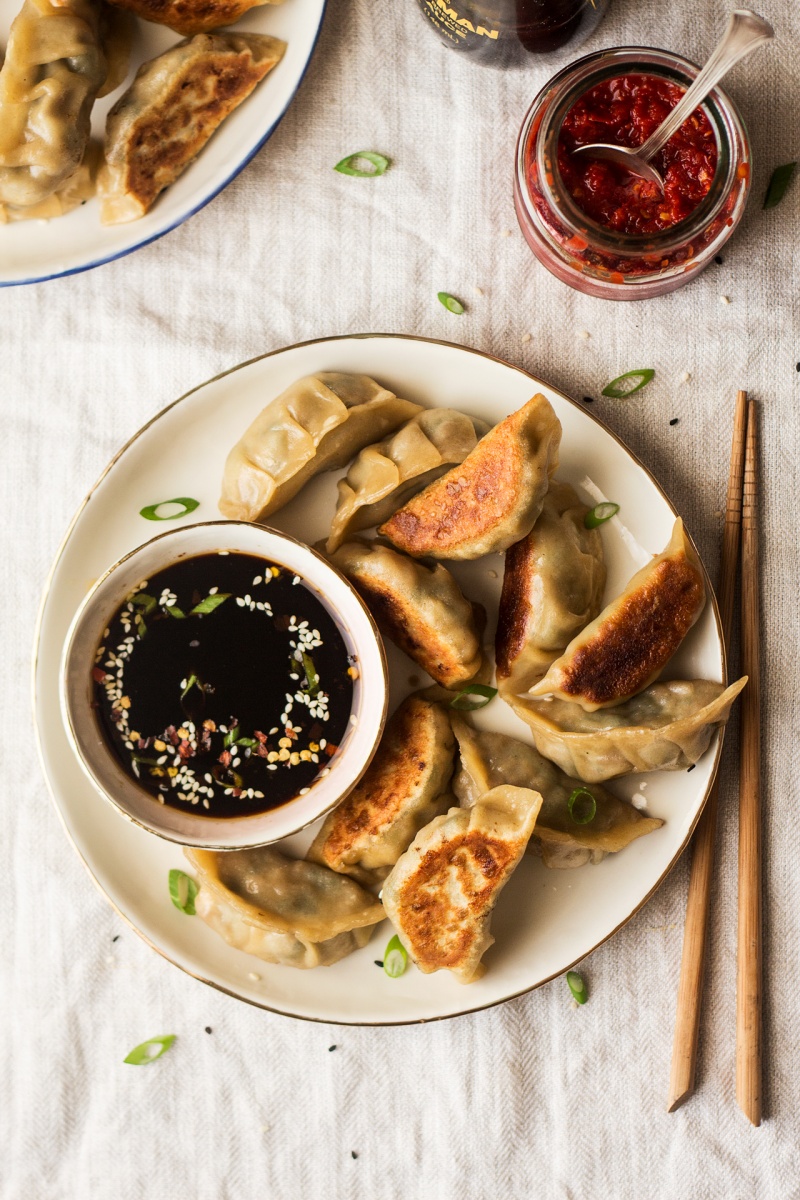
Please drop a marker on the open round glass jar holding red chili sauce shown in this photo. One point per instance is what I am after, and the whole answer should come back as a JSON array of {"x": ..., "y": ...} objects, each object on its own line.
[{"x": 603, "y": 262}]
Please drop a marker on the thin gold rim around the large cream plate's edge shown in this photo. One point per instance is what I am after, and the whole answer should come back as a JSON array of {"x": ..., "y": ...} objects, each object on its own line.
[{"x": 112, "y": 464}]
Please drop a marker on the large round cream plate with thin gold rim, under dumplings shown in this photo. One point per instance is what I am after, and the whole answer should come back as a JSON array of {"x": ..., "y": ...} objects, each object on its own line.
[{"x": 545, "y": 921}]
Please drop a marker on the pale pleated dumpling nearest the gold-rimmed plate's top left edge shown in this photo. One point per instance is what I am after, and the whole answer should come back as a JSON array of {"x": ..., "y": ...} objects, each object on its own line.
[{"x": 316, "y": 425}]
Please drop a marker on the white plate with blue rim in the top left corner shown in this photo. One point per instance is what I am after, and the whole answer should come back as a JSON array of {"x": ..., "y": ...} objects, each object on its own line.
[{"x": 33, "y": 251}]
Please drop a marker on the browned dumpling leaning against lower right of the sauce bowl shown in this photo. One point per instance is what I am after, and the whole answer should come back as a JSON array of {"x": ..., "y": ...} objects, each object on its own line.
[{"x": 402, "y": 790}]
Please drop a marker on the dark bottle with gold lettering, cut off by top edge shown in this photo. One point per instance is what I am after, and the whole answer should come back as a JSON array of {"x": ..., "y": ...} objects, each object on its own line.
[{"x": 508, "y": 33}]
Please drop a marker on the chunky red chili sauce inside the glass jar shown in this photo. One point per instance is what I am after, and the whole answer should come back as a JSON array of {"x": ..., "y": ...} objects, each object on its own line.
[{"x": 625, "y": 112}]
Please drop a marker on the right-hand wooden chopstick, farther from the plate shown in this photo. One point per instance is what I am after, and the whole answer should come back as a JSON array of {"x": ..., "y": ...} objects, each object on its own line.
[{"x": 749, "y": 958}]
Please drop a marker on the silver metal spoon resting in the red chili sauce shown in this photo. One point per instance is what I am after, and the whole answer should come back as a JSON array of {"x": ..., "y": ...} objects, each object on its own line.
[{"x": 745, "y": 32}]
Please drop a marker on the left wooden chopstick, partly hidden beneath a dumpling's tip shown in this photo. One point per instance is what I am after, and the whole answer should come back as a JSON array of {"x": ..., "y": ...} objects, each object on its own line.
[{"x": 690, "y": 989}]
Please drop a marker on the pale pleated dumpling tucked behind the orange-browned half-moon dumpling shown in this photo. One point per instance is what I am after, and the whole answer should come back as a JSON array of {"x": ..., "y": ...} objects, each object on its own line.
[{"x": 390, "y": 473}]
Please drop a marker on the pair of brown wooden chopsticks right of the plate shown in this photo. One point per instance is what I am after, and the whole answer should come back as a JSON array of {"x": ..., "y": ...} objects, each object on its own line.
[{"x": 741, "y": 527}]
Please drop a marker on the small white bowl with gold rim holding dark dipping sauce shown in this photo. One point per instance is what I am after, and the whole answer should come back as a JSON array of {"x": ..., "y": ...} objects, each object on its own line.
[{"x": 370, "y": 693}]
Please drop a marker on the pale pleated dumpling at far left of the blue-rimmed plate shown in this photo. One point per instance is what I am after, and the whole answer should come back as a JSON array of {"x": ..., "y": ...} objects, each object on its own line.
[{"x": 56, "y": 65}]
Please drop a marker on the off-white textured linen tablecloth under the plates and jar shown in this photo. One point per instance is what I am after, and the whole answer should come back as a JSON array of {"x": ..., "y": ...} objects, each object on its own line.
[{"x": 533, "y": 1099}]
